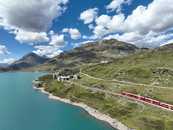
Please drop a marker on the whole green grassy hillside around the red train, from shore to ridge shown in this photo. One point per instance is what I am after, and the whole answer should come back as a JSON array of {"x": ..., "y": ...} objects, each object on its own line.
[{"x": 148, "y": 73}]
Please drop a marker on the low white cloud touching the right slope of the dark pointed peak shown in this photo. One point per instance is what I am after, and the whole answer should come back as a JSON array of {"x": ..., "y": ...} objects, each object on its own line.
[{"x": 49, "y": 51}]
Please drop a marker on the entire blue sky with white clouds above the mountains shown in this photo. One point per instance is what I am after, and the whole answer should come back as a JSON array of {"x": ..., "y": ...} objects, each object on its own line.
[{"x": 48, "y": 27}]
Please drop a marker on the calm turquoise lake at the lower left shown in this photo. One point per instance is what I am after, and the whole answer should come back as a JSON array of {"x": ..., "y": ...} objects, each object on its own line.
[{"x": 23, "y": 108}]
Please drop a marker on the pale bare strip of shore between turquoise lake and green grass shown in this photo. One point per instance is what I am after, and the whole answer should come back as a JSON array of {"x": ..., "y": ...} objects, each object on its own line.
[{"x": 93, "y": 112}]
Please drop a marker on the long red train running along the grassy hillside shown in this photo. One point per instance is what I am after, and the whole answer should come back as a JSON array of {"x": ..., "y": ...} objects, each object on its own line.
[{"x": 148, "y": 100}]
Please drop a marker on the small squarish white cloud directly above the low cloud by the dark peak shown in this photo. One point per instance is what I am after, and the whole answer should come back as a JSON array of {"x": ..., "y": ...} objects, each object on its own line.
[{"x": 57, "y": 40}]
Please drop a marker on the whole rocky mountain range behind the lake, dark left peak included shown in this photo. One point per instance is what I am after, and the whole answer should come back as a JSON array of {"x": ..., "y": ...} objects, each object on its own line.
[{"x": 104, "y": 51}]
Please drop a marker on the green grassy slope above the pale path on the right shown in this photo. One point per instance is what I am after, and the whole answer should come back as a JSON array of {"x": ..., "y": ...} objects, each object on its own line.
[{"x": 153, "y": 66}]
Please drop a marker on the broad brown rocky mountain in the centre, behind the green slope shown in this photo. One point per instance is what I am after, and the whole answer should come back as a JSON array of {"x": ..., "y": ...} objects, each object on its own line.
[{"x": 95, "y": 52}]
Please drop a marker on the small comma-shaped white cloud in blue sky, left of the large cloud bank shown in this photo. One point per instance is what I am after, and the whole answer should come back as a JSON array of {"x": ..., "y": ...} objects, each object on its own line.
[{"x": 74, "y": 33}]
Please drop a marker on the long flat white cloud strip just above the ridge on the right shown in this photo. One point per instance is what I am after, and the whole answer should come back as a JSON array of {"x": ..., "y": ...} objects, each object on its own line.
[{"x": 150, "y": 40}]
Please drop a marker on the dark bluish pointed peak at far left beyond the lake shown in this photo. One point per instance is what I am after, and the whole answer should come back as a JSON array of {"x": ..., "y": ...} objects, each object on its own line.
[{"x": 27, "y": 61}]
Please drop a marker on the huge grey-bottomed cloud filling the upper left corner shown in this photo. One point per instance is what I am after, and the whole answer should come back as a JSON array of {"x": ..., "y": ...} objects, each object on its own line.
[{"x": 30, "y": 20}]
